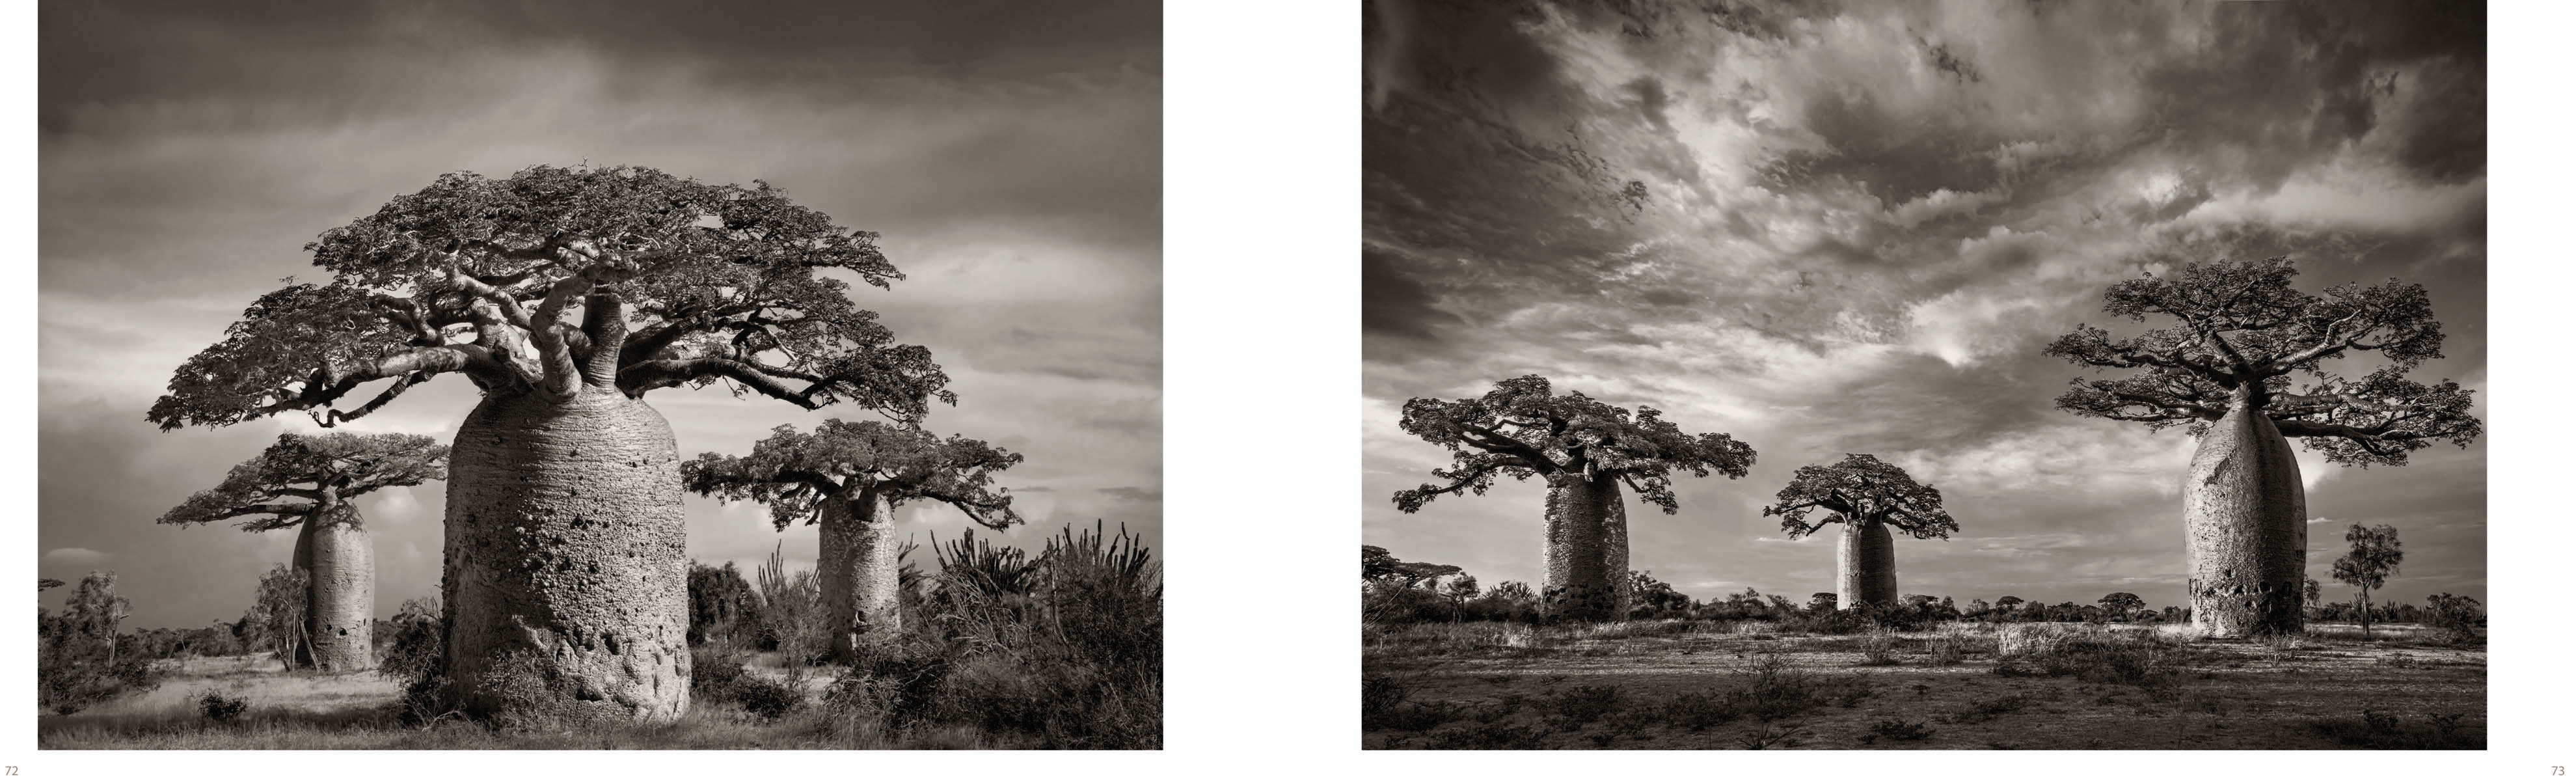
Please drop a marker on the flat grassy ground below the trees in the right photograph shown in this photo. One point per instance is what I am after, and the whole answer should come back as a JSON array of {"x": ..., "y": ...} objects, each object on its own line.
[{"x": 1745, "y": 684}]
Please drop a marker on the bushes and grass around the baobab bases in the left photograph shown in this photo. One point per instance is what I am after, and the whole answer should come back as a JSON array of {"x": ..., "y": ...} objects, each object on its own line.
[{"x": 1006, "y": 648}]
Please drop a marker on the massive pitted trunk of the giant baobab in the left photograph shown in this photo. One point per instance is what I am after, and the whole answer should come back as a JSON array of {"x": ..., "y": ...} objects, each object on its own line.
[{"x": 565, "y": 571}]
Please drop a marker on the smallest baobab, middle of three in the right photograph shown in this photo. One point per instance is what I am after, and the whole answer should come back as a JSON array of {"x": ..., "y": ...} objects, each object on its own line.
[{"x": 1869, "y": 496}]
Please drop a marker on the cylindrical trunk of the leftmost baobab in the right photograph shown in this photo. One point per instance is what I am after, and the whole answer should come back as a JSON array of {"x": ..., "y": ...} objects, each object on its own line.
[{"x": 1588, "y": 550}]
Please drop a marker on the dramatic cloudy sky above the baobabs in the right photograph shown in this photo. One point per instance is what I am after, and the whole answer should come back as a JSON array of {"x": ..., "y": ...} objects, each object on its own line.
[{"x": 1859, "y": 228}]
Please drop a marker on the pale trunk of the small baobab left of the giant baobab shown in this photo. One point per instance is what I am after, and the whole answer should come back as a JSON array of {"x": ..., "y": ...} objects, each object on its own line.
[{"x": 339, "y": 566}]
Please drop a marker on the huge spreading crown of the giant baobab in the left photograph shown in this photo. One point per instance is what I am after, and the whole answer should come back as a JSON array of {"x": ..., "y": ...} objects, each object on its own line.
[{"x": 558, "y": 280}]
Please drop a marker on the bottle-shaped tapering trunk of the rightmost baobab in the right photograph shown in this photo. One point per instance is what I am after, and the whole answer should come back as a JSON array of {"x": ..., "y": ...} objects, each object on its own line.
[{"x": 2248, "y": 522}]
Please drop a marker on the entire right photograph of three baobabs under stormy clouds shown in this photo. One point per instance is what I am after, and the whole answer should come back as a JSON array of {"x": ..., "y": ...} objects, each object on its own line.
[{"x": 1923, "y": 375}]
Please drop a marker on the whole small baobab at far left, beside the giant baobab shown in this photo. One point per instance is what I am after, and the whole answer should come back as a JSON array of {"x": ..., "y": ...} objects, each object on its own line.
[{"x": 310, "y": 483}]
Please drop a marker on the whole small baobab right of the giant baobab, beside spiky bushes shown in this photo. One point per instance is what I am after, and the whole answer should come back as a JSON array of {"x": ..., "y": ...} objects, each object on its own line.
[{"x": 851, "y": 478}]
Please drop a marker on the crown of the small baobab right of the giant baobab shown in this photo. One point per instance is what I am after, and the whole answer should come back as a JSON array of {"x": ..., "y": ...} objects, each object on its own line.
[{"x": 795, "y": 473}]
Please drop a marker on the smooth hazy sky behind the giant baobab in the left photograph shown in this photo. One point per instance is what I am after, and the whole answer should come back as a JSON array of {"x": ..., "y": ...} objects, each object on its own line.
[{"x": 1009, "y": 153}]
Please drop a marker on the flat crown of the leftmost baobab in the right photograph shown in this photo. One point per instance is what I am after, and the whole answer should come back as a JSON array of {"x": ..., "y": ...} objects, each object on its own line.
[{"x": 1521, "y": 429}]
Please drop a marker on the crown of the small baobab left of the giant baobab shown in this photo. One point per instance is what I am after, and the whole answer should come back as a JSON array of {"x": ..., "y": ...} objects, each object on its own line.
[{"x": 305, "y": 476}]
